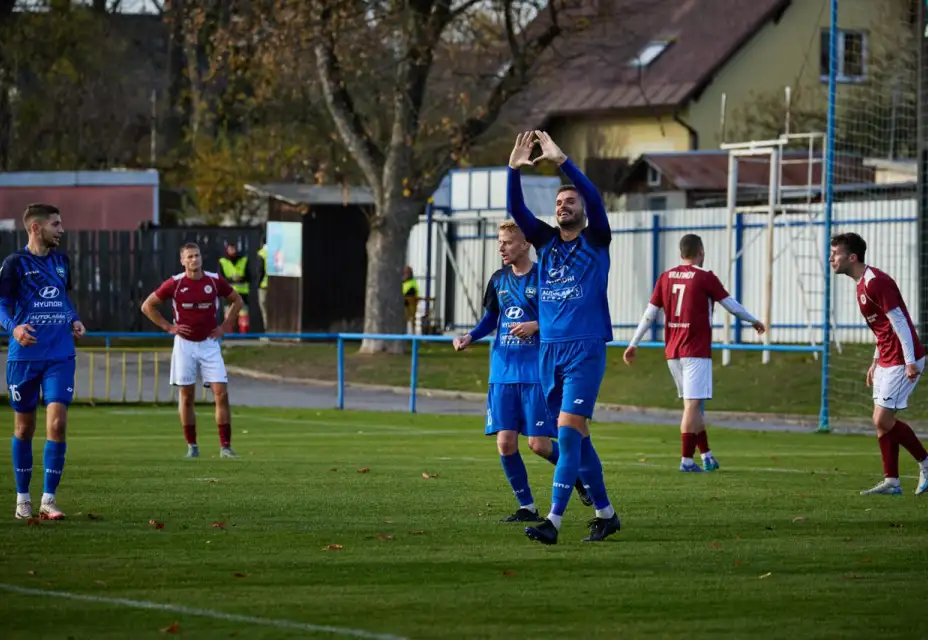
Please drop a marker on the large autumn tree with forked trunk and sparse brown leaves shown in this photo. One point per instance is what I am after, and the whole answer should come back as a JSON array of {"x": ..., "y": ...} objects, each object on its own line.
[{"x": 411, "y": 86}]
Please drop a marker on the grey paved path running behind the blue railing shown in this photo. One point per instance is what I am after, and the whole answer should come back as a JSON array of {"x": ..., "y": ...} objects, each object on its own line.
[{"x": 263, "y": 391}]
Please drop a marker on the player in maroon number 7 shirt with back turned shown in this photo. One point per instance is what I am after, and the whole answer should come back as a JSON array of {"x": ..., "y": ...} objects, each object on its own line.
[{"x": 686, "y": 293}]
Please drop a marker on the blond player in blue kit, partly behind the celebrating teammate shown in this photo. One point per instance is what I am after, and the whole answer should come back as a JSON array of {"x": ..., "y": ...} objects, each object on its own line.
[{"x": 515, "y": 401}]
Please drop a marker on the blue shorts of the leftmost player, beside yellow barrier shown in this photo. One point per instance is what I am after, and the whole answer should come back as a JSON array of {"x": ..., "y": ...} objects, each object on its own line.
[{"x": 24, "y": 379}]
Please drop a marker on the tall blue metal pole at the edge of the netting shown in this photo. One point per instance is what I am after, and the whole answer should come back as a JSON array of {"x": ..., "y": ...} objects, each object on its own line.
[{"x": 823, "y": 425}]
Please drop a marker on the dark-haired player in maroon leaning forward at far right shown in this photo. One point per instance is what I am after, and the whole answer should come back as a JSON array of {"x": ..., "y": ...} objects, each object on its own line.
[{"x": 898, "y": 361}]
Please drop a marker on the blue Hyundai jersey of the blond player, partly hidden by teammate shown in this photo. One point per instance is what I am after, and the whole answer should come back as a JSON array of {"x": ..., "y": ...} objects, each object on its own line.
[{"x": 513, "y": 299}]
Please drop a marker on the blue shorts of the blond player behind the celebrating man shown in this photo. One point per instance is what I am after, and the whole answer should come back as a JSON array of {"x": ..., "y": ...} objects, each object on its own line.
[{"x": 519, "y": 407}]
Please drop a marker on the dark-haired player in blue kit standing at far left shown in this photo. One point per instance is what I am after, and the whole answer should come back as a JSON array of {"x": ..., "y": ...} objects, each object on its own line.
[{"x": 35, "y": 309}]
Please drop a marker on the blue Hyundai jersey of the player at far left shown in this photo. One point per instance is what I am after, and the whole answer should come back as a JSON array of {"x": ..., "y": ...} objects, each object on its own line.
[{"x": 34, "y": 291}]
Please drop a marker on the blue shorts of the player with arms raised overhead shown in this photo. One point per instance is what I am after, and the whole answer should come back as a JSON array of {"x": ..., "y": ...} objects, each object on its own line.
[{"x": 571, "y": 373}]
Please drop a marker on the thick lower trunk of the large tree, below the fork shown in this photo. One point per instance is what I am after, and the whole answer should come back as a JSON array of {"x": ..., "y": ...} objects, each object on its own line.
[{"x": 386, "y": 257}]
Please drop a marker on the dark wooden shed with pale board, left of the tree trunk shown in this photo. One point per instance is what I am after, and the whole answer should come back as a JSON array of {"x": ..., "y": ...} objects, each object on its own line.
[{"x": 317, "y": 256}]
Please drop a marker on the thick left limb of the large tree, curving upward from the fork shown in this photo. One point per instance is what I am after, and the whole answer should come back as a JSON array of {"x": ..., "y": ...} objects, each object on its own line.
[{"x": 341, "y": 106}]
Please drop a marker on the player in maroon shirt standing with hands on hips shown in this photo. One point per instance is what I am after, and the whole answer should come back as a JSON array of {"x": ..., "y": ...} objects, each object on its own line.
[{"x": 195, "y": 296}]
